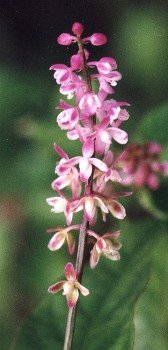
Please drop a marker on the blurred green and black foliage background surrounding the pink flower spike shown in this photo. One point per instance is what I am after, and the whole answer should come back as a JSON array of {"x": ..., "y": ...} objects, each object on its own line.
[{"x": 128, "y": 305}]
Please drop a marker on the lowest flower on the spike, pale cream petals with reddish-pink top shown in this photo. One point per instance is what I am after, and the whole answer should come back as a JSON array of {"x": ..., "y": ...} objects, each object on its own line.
[{"x": 71, "y": 286}]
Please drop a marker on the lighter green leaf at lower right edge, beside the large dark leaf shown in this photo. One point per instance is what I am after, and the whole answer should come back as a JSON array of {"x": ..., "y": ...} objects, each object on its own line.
[{"x": 152, "y": 308}]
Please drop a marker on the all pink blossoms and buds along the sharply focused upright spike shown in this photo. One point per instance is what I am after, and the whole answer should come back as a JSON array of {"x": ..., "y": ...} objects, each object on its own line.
[{"x": 95, "y": 121}]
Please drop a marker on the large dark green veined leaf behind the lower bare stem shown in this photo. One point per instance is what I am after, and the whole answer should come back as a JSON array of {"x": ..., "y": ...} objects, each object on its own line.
[{"x": 105, "y": 317}]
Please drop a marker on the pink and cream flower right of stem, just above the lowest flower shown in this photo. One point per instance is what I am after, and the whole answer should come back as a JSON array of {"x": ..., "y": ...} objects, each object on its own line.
[{"x": 106, "y": 245}]
